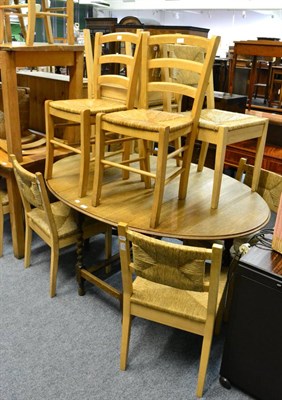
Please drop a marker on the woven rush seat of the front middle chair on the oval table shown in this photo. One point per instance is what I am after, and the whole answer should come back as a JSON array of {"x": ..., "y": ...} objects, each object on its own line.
[{"x": 150, "y": 120}]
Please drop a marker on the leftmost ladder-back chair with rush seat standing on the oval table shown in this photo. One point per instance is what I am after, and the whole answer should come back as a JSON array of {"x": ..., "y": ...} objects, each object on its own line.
[{"x": 112, "y": 84}]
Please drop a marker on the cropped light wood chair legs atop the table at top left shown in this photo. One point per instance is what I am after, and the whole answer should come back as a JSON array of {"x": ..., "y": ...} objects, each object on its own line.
[{"x": 31, "y": 11}]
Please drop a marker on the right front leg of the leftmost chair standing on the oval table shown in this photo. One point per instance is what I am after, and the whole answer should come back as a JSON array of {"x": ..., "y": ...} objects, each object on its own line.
[{"x": 85, "y": 130}]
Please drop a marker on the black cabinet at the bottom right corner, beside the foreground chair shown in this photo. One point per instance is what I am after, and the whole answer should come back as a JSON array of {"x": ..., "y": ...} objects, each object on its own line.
[{"x": 252, "y": 355}]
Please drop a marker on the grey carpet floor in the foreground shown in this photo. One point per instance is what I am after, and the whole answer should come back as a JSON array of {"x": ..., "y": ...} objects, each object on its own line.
[{"x": 67, "y": 348}]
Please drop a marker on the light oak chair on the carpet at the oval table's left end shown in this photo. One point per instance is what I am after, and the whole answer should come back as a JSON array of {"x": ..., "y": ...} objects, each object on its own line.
[{"x": 55, "y": 223}]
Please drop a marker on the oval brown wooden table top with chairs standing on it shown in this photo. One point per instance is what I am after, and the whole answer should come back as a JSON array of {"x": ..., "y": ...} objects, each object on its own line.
[{"x": 240, "y": 211}]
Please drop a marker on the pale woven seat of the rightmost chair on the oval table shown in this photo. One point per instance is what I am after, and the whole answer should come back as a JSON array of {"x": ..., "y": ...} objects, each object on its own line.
[{"x": 213, "y": 119}]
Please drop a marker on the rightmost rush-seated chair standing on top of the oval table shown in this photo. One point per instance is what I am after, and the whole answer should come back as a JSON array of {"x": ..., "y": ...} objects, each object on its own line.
[{"x": 222, "y": 128}]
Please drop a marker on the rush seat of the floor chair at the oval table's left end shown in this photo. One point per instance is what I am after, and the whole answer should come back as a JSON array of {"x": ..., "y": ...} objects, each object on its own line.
[{"x": 64, "y": 218}]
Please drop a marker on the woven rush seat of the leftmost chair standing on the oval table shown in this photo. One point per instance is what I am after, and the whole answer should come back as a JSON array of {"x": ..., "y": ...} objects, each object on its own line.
[{"x": 75, "y": 106}]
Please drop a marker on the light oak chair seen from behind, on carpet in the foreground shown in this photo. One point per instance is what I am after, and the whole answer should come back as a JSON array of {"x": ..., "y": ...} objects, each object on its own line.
[{"x": 173, "y": 286}]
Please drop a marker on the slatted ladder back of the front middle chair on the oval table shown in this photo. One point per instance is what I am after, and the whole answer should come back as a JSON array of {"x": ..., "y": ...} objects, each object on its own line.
[{"x": 183, "y": 64}]
